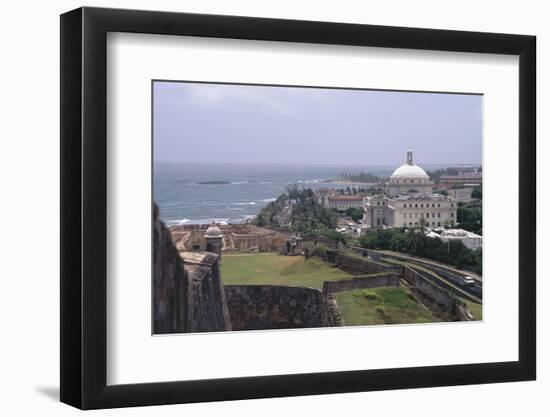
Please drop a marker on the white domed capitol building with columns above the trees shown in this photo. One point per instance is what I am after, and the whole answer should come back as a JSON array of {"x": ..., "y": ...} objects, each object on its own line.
[{"x": 409, "y": 201}]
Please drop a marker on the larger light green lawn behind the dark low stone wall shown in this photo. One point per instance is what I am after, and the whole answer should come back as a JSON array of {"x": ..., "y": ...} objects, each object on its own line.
[{"x": 274, "y": 269}]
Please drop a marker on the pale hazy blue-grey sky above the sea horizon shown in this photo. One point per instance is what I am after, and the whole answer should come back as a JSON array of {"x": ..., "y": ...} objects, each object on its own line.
[{"x": 221, "y": 123}]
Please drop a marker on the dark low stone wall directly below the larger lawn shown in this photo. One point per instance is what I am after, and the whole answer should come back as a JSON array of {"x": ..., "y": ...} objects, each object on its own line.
[{"x": 259, "y": 307}]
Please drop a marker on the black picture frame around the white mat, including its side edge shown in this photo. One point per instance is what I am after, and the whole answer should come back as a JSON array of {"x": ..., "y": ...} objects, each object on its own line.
[{"x": 84, "y": 207}]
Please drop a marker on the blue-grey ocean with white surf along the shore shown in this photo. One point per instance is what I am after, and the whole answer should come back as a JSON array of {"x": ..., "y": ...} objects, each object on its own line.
[{"x": 182, "y": 199}]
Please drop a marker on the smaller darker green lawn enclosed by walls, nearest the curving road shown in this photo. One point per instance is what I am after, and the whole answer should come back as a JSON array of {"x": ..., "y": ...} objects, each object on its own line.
[{"x": 384, "y": 305}]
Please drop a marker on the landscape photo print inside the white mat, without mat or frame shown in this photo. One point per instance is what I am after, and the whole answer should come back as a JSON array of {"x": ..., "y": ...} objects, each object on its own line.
[{"x": 287, "y": 207}]
